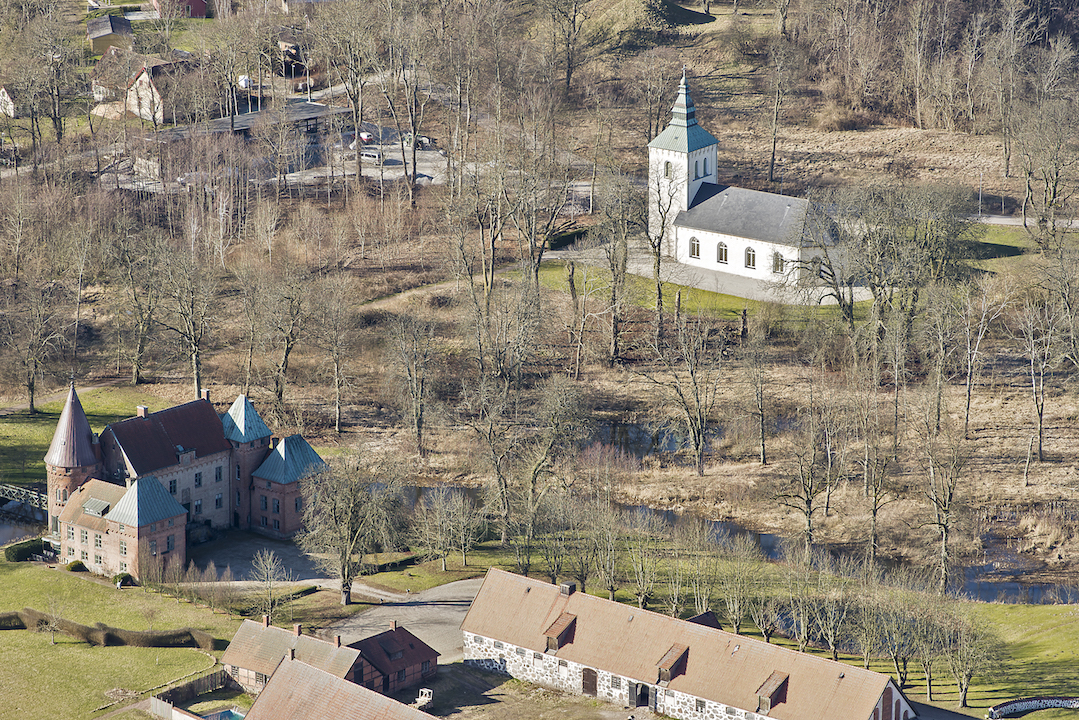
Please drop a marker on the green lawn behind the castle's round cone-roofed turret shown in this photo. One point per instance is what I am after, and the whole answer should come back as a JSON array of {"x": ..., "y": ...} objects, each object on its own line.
[{"x": 25, "y": 438}]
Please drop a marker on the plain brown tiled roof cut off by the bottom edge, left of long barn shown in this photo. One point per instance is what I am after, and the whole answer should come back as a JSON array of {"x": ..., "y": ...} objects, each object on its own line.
[{"x": 298, "y": 691}]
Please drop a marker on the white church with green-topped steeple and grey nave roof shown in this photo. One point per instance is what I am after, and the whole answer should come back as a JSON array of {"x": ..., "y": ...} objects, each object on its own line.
[{"x": 757, "y": 236}]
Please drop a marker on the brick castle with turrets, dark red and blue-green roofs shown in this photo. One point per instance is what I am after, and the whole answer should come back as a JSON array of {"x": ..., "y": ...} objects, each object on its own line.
[{"x": 156, "y": 482}]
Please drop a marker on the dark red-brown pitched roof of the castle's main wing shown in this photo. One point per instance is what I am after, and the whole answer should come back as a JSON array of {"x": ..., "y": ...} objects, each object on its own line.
[{"x": 154, "y": 443}]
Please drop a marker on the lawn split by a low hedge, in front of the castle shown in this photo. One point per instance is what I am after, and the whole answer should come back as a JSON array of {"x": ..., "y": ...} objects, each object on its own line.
[{"x": 71, "y": 680}]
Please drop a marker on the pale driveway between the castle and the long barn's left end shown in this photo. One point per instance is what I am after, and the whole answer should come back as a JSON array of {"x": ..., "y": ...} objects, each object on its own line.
[{"x": 433, "y": 616}]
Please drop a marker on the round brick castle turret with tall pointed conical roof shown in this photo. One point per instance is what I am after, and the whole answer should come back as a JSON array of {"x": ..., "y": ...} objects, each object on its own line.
[{"x": 73, "y": 458}]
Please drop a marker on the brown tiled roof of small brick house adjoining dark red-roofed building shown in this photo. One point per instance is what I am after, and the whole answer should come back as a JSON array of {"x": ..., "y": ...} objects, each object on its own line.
[{"x": 261, "y": 649}]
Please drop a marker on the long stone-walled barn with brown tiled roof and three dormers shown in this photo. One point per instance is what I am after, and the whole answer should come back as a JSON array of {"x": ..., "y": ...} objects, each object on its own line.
[{"x": 576, "y": 643}]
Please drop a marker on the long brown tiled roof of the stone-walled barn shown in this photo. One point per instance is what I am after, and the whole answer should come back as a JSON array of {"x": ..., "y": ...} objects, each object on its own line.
[{"x": 632, "y": 643}]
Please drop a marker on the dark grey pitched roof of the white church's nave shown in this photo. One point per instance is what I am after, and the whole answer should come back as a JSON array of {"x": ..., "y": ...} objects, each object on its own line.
[{"x": 750, "y": 214}]
